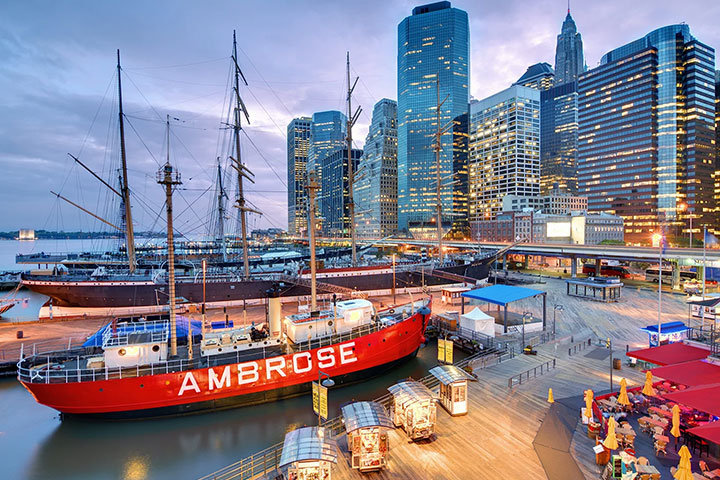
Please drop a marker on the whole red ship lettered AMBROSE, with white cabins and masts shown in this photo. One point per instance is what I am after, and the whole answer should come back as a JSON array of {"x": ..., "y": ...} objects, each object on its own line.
[{"x": 138, "y": 369}]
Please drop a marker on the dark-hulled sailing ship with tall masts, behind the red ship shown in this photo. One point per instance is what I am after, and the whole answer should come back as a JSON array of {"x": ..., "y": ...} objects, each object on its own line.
[{"x": 140, "y": 291}]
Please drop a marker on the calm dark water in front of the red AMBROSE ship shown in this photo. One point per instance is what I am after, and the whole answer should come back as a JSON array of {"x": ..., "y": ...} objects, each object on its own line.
[{"x": 178, "y": 447}]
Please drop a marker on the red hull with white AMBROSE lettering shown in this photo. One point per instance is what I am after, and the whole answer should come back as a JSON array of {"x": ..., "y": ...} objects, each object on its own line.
[{"x": 227, "y": 386}]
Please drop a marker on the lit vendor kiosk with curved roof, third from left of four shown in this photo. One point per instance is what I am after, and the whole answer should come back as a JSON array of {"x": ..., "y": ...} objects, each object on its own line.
[{"x": 413, "y": 409}]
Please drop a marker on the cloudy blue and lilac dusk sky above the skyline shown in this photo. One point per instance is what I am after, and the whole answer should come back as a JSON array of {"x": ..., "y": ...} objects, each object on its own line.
[{"x": 58, "y": 90}]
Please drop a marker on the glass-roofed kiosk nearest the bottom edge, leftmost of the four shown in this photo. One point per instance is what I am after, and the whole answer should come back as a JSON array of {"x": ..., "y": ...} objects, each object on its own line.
[{"x": 308, "y": 453}]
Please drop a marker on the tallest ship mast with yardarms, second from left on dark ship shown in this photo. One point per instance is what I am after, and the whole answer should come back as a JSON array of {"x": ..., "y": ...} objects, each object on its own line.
[{"x": 237, "y": 164}]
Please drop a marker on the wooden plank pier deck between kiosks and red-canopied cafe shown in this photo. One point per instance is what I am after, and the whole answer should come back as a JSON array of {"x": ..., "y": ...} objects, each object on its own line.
[{"x": 495, "y": 439}]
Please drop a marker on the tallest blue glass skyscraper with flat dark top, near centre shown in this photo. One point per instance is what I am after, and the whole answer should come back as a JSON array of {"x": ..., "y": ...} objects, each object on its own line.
[{"x": 433, "y": 48}]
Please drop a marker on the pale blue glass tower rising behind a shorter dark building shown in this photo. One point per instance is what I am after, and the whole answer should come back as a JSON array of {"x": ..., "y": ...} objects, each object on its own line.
[{"x": 327, "y": 134}]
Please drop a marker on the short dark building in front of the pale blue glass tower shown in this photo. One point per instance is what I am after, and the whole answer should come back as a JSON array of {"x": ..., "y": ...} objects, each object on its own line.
[{"x": 334, "y": 205}]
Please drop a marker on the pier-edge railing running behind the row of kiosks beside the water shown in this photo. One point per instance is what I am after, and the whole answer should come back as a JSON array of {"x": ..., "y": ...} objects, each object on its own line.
[{"x": 267, "y": 461}]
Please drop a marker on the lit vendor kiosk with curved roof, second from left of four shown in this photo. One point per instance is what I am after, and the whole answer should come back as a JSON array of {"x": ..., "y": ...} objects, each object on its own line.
[{"x": 366, "y": 425}]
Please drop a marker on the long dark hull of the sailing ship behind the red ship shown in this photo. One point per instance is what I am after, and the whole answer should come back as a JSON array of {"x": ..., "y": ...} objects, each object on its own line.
[{"x": 102, "y": 294}]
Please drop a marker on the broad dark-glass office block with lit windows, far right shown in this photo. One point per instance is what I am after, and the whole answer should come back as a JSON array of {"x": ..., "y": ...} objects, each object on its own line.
[{"x": 646, "y": 130}]
